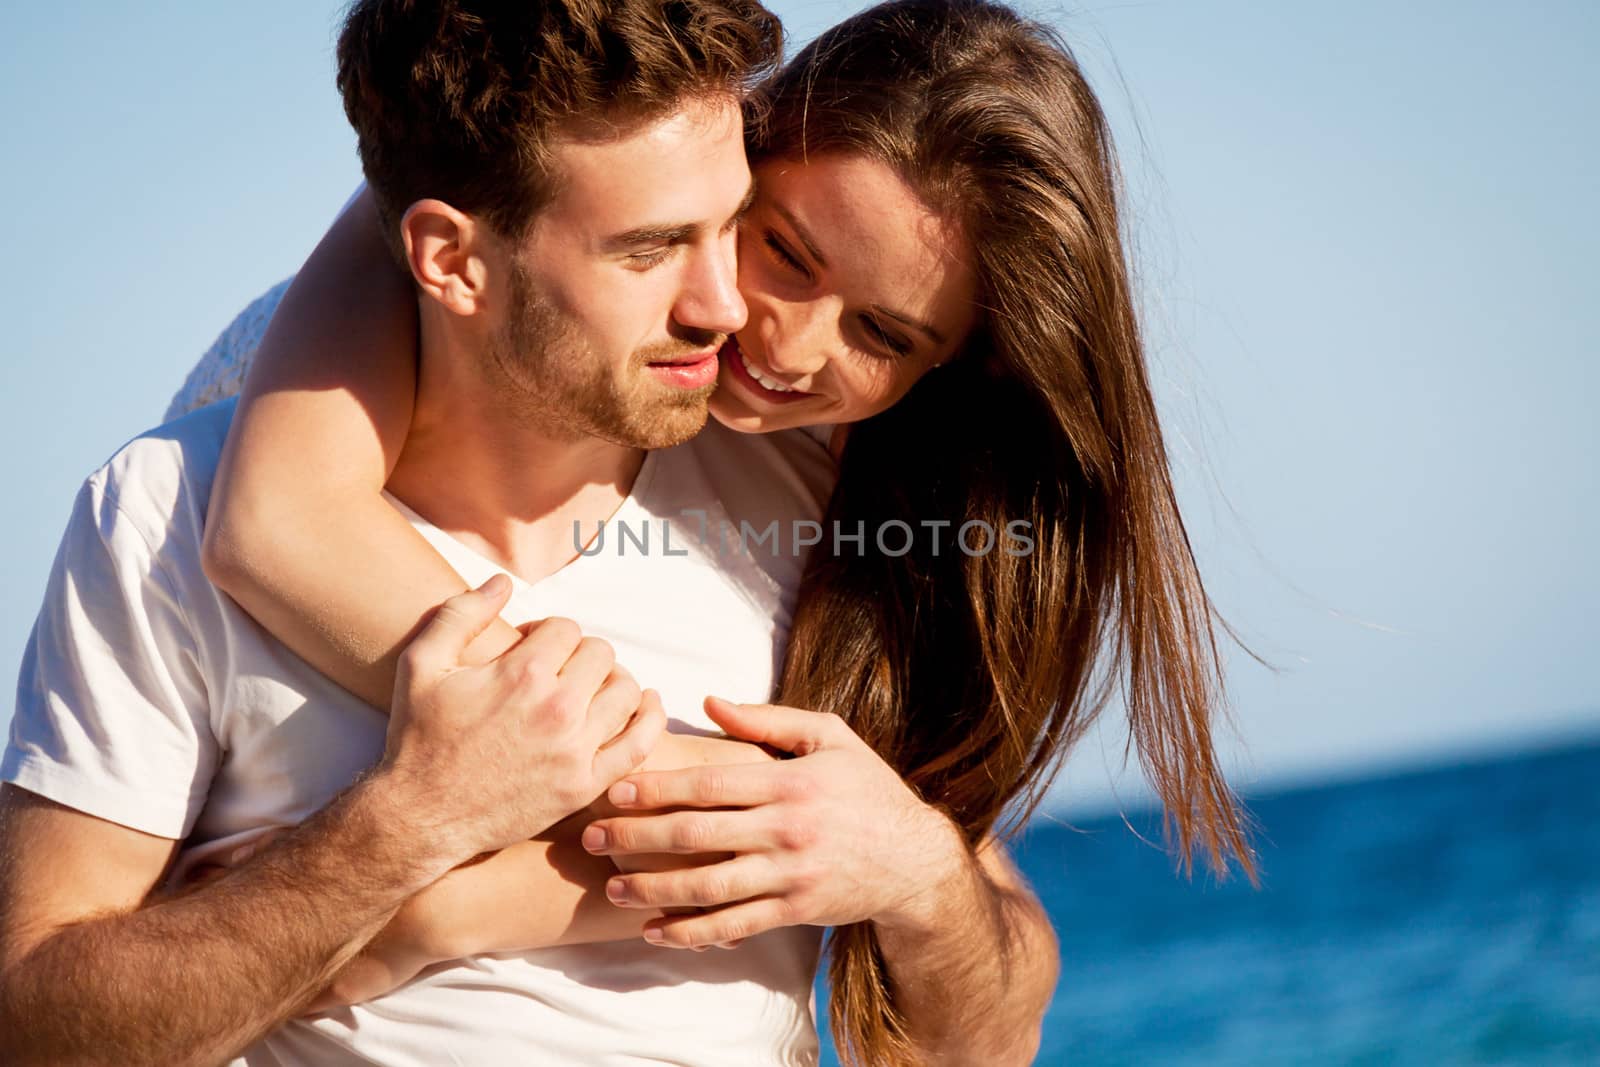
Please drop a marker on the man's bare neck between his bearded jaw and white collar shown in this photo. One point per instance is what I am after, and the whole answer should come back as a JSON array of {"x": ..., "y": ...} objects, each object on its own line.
[{"x": 503, "y": 484}]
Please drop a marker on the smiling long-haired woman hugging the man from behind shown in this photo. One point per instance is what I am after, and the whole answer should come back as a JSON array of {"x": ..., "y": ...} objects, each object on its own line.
[{"x": 938, "y": 156}]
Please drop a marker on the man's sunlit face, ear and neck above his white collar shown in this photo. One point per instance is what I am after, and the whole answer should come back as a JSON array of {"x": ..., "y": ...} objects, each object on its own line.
[{"x": 602, "y": 327}]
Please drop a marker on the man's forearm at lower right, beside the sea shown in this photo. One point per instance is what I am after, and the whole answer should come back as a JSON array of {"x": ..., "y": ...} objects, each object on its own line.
[{"x": 974, "y": 972}]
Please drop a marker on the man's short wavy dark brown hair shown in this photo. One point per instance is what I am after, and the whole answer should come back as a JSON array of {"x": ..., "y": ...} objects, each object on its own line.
[{"x": 460, "y": 100}]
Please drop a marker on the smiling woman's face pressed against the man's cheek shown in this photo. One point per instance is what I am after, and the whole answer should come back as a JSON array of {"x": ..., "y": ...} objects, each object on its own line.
[{"x": 857, "y": 289}]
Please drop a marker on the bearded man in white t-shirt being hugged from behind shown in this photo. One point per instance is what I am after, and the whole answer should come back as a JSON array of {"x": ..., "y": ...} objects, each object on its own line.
[{"x": 153, "y": 709}]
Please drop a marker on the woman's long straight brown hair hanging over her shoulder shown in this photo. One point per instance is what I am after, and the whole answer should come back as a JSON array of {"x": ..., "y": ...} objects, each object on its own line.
[{"x": 975, "y": 674}]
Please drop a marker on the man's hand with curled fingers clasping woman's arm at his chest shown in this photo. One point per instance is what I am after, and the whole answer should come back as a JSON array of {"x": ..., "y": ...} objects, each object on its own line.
[{"x": 481, "y": 757}]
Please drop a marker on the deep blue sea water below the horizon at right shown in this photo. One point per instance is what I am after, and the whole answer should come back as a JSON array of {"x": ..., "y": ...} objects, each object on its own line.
[{"x": 1431, "y": 917}]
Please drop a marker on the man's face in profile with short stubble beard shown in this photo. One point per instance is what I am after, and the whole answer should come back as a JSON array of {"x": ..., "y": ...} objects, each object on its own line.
[{"x": 625, "y": 289}]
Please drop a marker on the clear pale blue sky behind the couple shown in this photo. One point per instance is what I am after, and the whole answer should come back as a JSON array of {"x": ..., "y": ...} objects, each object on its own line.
[{"x": 1364, "y": 233}]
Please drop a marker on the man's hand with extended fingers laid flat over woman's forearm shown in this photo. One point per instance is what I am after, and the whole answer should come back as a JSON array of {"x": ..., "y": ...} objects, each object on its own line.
[{"x": 828, "y": 839}]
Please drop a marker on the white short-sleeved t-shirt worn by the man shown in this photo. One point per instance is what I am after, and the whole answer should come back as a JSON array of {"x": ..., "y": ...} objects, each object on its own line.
[{"x": 151, "y": 700}]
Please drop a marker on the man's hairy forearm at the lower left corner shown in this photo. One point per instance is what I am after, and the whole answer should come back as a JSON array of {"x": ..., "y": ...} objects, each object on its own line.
[{"x": 198, "y": 978}]
